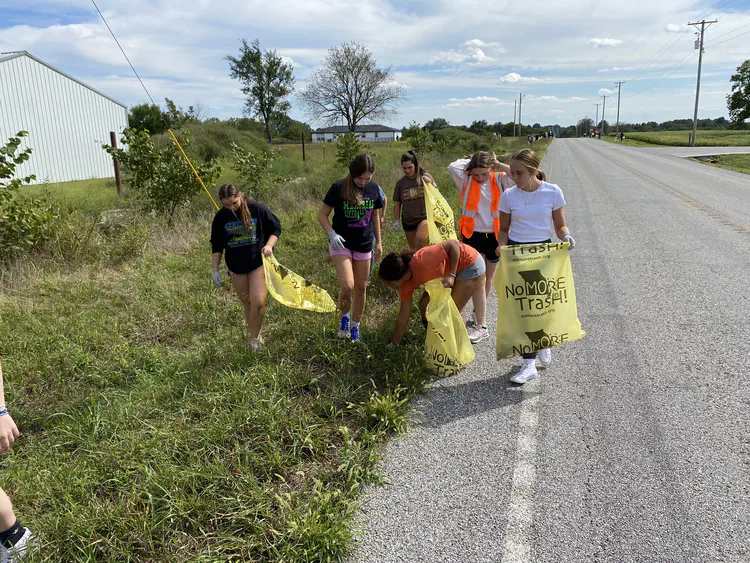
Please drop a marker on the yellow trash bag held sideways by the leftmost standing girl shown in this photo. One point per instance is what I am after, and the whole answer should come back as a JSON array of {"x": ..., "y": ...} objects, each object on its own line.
[{"x": 292, "y": 290}]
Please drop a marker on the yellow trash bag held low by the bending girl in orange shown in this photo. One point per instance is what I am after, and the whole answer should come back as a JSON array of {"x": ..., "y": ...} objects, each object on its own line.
[{"x": 447, "y": 347}]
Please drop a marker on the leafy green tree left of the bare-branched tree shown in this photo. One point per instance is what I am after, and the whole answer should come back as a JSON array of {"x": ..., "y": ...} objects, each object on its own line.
[{"x": 266, "y": 81}]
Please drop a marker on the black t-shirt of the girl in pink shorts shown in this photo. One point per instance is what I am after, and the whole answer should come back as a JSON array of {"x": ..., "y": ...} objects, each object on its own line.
[{"x": 354, "y": 222}]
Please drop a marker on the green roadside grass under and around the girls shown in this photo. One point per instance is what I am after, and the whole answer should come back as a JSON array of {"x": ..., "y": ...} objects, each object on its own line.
[{"x": 149, "y": 434}]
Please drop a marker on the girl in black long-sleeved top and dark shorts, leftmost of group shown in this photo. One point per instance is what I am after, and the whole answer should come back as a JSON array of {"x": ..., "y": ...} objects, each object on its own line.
[{"x": 244, "y": 231}]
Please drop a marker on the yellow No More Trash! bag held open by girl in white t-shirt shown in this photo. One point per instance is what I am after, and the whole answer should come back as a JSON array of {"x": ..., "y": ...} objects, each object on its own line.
[{"x": 536, "y": 299}]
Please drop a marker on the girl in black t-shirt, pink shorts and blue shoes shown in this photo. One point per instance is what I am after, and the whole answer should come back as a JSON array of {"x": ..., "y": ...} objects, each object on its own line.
[{"x": 354, "y": 201}]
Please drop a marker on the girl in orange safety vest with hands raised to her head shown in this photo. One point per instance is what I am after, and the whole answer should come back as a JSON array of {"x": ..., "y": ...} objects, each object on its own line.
[{"x": 481, "y": 180}]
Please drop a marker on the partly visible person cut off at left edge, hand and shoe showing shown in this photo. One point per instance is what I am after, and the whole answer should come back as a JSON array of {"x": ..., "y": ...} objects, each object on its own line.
[{"x": 15, "y": 540}]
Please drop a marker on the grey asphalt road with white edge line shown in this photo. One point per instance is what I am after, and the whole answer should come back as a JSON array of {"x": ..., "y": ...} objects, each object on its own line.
[{"x": 634, "y": 446}]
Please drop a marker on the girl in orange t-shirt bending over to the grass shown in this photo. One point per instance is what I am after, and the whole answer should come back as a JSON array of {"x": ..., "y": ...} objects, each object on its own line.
[{"x": 459, "y": 265}]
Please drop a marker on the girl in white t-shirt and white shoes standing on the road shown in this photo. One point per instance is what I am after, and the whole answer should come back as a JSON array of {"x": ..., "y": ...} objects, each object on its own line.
[{"x": 529, "y": 212}]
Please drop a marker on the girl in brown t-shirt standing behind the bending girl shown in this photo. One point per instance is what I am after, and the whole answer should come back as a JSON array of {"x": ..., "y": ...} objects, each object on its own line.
[{"x": 409, "y": 210}]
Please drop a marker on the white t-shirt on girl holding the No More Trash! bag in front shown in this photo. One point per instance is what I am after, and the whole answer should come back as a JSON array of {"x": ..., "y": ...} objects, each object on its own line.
[{"x": 531, "y": 212}]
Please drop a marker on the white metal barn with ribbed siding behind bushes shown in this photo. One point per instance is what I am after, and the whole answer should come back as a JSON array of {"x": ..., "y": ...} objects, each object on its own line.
[{"x": 67, "y": 120}]
